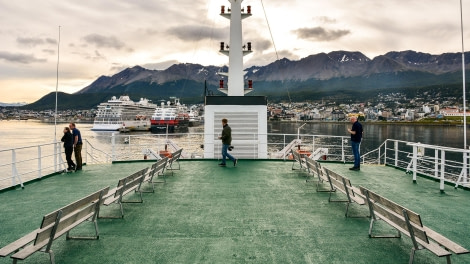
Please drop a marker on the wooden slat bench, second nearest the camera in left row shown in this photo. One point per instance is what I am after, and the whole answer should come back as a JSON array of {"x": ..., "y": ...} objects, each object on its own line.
[{"x": 125, "y": 186}]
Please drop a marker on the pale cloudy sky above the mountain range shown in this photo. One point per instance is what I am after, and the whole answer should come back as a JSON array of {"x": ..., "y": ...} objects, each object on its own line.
[{"x": 102, "y": 37}]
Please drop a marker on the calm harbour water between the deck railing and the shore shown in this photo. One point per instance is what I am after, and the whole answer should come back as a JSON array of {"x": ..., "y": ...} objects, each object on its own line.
[{"x": 28, "y": 133}]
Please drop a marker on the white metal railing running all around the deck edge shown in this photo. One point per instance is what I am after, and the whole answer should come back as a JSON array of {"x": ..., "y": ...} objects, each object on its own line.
[{"x": 34, "y": 162}]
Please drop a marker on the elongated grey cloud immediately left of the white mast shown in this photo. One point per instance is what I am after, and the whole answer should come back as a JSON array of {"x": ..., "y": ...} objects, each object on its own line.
[{"x": 196, "y": 33}]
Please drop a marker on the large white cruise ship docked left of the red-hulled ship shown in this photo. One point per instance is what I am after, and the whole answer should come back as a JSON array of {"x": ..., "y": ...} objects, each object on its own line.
[{"x": 124, "y": 114}]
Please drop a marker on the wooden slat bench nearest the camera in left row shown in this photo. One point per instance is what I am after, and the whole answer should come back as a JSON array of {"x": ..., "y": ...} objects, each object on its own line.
[{"x": 55, "y": 224}]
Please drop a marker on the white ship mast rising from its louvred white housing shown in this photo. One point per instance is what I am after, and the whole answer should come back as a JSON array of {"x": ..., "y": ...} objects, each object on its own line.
[{"x": 247, "y": 115}]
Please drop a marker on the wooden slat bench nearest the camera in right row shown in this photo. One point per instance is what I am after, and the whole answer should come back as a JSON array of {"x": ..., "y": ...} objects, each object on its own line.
[{"x": 409, "y": 223}]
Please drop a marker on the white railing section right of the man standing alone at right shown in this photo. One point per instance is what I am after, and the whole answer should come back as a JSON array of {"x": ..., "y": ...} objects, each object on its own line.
[{"x": 441, "y": 163}]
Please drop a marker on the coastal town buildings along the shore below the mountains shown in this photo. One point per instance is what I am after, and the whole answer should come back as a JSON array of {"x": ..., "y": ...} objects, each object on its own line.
[{"x": 392, "y": 107}]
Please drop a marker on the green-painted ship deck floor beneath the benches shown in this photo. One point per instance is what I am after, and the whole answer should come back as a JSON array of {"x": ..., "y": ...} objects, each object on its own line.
[{"x": 258, "y": 212}]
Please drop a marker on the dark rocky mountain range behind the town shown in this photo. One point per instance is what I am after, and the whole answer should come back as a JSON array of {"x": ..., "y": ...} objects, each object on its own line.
[{"x": 338, "y": 74}]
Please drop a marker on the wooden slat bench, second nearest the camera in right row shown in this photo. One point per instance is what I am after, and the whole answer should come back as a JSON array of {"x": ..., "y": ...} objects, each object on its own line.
[{"x": 343, "y": 184}]
